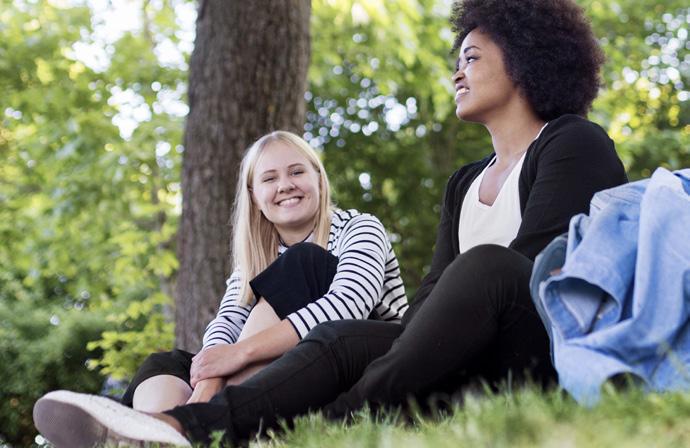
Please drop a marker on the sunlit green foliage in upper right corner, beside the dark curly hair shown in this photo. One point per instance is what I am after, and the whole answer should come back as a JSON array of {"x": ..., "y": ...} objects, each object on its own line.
[{"x": 644, "y": 104}]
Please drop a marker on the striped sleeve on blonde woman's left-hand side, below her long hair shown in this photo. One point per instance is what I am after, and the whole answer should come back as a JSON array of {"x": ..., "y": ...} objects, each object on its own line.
[{"x": 228, "y": 323}]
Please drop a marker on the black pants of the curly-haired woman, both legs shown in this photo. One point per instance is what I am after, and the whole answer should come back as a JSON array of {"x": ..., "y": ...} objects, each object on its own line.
[{"x": 478, "y": 322}]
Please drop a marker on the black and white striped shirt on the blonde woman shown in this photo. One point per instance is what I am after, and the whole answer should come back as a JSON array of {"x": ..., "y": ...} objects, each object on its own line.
[{"x": 367, "y": 278}]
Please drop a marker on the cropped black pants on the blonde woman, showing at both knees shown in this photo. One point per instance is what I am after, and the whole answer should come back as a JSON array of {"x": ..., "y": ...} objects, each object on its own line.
[{"x": 299, "y": 276}]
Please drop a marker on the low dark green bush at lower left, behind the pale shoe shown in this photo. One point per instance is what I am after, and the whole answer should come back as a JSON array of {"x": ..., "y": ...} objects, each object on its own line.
[{"x": 42, "y": 349}]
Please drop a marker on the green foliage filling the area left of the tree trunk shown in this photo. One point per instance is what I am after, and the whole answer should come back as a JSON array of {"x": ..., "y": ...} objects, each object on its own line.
[{"x": 88, "y": 212}]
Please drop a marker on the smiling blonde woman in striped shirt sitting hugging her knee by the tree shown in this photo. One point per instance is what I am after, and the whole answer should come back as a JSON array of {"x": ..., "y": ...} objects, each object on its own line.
[{"x": 297, "y": 262}]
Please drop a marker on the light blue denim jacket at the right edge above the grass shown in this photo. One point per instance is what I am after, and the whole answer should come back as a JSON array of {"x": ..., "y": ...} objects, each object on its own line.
[{"x": 622, "y": 301}]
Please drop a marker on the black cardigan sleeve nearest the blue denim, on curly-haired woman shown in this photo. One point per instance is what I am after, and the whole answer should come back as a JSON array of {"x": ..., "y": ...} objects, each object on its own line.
[{"x": 576, "y": 160}]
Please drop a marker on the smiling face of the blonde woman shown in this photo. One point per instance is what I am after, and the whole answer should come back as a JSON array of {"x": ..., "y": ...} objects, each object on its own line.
[{"x": 285, "y": 187}]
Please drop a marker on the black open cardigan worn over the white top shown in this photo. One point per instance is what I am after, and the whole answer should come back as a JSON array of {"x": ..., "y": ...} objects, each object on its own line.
[{"x": 571, "y": 160}]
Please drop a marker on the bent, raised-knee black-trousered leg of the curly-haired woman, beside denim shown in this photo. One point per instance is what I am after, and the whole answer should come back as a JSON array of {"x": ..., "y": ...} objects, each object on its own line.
[{"x": 478, "y": 320}]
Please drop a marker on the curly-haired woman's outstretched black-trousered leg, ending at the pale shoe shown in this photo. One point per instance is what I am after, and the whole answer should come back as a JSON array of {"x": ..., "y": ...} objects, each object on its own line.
[{"x": 329, "y": 360}]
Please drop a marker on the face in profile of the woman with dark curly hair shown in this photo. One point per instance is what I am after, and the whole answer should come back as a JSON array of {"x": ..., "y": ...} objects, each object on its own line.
[{"x": 482, "y": 85}]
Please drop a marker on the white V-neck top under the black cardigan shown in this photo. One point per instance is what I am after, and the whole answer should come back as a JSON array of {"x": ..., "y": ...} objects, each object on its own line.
[{"x": 491, "y": 224}]
